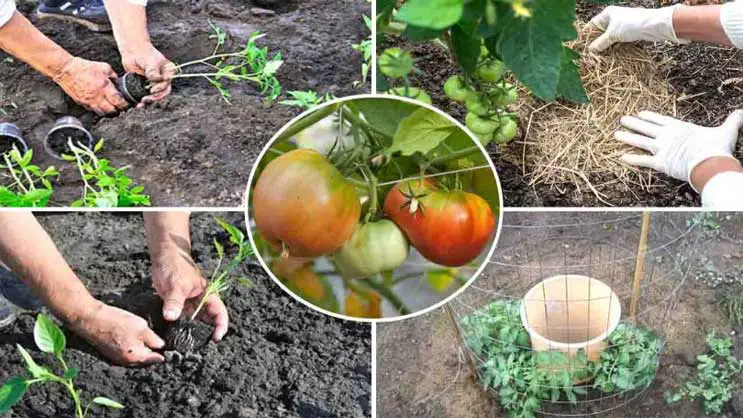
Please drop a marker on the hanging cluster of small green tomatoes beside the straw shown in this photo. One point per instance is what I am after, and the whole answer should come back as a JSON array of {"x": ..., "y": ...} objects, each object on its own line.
[{"x": 485, "y": 99}]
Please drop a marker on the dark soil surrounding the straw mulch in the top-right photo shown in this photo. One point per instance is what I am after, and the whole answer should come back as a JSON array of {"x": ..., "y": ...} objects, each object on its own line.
[{"x": 696, "y": 71}]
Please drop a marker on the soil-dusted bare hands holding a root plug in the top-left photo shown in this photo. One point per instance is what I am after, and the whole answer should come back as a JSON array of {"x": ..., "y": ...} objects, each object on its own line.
[{"x": 90, "y": 83}]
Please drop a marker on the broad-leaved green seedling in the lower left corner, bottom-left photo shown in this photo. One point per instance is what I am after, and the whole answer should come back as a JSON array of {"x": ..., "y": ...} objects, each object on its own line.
[{"x": 50, "y": 339}]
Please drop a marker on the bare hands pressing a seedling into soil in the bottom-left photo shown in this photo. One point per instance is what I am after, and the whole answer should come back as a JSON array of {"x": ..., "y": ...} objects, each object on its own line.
[{"x": 127, "y": 339}]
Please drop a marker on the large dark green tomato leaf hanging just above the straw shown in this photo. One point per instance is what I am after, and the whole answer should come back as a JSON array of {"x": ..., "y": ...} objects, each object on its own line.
[{"x": 532, "y": 47}]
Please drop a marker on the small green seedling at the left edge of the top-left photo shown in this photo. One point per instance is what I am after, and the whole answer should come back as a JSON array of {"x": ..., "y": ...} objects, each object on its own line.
[{"x": 30, "y": 186}]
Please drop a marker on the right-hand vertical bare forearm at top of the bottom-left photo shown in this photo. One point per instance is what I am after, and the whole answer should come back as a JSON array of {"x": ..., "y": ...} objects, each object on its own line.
[{"x": 167, "y": 233}]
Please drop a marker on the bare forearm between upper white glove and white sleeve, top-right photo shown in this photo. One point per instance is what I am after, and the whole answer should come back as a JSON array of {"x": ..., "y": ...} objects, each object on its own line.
[{"x": 700, "y": 24}]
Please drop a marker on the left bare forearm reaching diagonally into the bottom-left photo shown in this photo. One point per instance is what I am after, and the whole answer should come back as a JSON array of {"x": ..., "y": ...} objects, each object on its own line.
[{"x": 30, "y": 253}]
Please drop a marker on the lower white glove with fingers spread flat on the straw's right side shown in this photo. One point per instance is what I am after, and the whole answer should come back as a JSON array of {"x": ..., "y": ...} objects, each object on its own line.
[{"x": 677, "y": 147}]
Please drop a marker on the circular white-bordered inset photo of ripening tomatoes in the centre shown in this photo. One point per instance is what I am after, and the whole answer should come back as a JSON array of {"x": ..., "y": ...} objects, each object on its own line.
[{"x": 373, "y": 207}]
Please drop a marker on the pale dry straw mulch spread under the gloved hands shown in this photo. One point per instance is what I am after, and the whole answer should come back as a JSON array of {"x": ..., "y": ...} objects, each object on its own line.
[{"x": 574, "y": 144}]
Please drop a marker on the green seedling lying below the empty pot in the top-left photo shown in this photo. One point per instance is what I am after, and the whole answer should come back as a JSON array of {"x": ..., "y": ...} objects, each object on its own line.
[{"x": 104, "y": 186}]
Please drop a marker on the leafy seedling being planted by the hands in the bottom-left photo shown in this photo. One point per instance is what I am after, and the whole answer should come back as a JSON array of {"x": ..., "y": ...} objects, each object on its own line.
[{"x": 221, "y": 278}]
